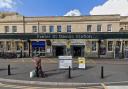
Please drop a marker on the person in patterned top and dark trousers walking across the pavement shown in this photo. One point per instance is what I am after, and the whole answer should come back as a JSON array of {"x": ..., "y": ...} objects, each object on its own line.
[{"x": 37, "y": 63}]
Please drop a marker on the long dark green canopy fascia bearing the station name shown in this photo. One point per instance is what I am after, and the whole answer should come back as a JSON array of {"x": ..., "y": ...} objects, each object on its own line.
[{"x": 72, "y": 35}]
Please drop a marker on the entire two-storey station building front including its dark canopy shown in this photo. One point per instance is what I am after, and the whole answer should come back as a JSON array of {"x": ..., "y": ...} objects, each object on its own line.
[{"x": 96, "y": 36}]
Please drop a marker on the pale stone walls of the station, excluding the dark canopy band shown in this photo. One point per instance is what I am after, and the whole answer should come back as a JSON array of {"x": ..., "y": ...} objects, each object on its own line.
[{"x": 11, "y": 22}]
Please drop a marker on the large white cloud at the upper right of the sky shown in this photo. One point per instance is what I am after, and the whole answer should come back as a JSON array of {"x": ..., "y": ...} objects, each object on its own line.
[{"x": 111, "y": 7}]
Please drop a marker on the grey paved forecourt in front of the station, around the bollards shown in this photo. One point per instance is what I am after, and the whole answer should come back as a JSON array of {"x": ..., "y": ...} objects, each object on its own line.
[{"x": 115, "y": 71}]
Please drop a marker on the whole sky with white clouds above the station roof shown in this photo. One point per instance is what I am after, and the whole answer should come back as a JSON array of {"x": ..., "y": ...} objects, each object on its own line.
[{"x": 65, "y": 7}]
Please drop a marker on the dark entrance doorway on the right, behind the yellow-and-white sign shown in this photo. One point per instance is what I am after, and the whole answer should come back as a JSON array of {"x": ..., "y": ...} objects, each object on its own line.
[{"x": 77, "y": 50}]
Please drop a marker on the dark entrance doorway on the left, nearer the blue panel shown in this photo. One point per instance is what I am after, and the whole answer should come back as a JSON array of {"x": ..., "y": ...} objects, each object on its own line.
[{"x": 59, "y": 50}]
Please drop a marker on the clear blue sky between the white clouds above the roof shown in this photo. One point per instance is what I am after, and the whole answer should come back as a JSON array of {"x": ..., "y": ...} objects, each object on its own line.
[{"x": 56, "y": 7}]
